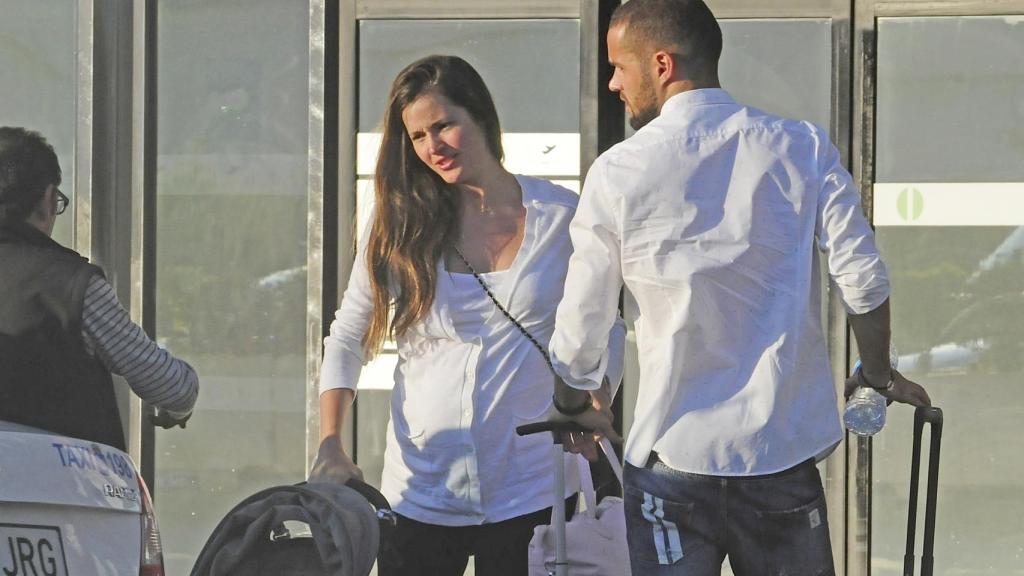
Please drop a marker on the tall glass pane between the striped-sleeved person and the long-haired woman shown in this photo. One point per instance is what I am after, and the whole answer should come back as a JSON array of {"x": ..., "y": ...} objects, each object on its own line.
[{"x": 232, "y": 253}]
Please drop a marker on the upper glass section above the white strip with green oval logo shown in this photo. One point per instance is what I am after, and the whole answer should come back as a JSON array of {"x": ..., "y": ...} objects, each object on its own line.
[{"x": 950, "y": 100}]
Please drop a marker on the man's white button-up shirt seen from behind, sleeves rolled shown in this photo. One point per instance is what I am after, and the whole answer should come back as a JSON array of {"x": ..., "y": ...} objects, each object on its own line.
[{"x": 713, "y": 216}]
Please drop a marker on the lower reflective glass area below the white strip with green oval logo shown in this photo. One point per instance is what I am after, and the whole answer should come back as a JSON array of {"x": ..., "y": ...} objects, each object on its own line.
[{"x": 957, "y": 310}]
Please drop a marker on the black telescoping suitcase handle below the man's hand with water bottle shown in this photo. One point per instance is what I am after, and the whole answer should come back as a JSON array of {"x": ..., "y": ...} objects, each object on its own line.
[{"x": 934, "y": 418}]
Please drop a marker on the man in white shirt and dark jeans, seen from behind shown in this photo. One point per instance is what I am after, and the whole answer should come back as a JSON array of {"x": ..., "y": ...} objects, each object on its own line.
[{"x": 713, "y": 216}]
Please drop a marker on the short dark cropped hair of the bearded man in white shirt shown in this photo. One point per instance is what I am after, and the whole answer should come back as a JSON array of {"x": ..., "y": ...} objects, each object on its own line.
[{"x": 686, "y": 27}]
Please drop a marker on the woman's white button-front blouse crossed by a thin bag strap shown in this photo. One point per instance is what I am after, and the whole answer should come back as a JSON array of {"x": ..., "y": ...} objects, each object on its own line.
[{"x": 452, "y": 456}]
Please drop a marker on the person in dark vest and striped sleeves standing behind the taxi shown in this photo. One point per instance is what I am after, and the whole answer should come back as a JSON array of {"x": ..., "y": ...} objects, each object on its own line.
[{"x": 63, "y": 332}]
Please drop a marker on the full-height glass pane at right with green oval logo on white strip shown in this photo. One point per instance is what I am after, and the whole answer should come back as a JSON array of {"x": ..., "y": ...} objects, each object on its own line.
[{"x": 950, "y": 211}]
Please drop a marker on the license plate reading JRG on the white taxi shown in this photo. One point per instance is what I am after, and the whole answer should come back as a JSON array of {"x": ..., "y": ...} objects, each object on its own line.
[{"x": 31, "y": 551}]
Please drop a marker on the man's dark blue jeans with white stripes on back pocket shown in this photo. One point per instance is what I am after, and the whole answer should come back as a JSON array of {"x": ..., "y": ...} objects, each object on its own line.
[{"x": 687, "y": 524}]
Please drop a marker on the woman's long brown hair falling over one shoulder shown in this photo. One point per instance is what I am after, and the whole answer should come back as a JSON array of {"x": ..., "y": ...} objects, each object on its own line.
[{"x": 417, "y": 214}]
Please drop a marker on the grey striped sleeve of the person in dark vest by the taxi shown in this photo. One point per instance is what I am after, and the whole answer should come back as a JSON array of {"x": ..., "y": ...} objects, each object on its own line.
[{"x": 123, "y": 348}]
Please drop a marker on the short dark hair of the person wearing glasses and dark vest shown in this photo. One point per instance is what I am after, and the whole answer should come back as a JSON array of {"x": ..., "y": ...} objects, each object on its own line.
[{"x": 28, "y": 167}]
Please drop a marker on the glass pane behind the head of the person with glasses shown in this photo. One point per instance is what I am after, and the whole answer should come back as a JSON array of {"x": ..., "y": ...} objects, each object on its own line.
[{"x": 39, "y": 84}]
